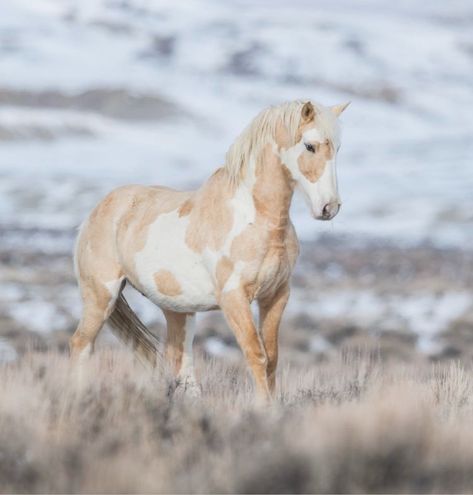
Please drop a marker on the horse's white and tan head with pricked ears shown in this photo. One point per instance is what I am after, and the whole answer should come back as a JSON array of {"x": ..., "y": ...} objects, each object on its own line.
[{"x": 312, "y": 160}]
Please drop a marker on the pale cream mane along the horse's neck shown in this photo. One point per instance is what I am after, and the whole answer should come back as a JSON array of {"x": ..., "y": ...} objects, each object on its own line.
[{"x": 259, "y": 132}]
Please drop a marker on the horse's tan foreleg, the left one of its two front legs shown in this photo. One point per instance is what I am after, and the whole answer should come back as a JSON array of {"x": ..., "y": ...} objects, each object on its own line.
[{"x": 237, "y": 311}]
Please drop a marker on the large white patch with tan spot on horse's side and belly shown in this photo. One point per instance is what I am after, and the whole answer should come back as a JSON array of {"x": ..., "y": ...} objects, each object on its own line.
[{"x": 171, "y": 274}]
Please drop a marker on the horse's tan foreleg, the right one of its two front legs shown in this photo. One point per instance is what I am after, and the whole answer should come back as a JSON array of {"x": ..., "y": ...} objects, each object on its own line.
[{"x": 270, "y": 313}]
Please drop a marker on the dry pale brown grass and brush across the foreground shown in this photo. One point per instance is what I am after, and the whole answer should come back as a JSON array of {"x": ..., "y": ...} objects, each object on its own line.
[{"x": 348, "y": 425}]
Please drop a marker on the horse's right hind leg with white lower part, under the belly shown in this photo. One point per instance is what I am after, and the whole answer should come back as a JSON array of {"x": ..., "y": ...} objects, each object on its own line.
[{"x": 180, "y": 337}]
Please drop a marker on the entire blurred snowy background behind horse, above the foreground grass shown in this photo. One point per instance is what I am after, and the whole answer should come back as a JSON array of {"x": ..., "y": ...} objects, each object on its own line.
[{"x": 99, "y": 93}]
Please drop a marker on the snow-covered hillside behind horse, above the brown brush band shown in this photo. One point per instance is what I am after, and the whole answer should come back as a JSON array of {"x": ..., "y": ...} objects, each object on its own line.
[{"x": 103, "y": 92}]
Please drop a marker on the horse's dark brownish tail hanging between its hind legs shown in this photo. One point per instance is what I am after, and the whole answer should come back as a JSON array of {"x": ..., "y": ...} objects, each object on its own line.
[{"x": 133, "y": 332}]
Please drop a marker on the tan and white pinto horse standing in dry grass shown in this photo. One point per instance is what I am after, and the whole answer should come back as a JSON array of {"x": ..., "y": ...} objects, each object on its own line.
[{"x": 222, "y": 246}]
